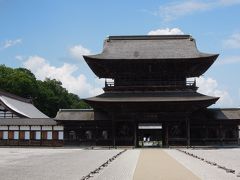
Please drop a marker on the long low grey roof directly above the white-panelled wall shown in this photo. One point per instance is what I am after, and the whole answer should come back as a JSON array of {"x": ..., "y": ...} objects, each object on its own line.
[{"x": 28, "y": 121}]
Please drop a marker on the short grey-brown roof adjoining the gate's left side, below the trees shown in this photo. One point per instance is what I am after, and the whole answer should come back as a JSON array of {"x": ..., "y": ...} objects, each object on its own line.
[{"x": 75, "y": 114}]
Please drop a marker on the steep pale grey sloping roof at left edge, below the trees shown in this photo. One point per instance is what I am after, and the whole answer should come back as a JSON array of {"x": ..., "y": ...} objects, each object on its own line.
[{"x": 21, "y": 106}]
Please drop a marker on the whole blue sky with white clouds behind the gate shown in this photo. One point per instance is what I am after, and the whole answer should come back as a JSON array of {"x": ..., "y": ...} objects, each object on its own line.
[{"x": 49, "y": 37}]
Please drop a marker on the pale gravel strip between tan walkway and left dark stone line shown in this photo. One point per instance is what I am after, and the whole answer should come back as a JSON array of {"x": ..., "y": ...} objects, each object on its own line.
[{"x": 121, "y": 168}]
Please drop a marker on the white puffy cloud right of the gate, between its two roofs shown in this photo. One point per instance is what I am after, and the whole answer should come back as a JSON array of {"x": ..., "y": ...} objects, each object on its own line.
[{"x": 209, "y": 86}]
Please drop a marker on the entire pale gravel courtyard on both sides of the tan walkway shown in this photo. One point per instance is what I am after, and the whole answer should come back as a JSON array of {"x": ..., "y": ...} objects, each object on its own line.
[{"x": 73, "y": 163}]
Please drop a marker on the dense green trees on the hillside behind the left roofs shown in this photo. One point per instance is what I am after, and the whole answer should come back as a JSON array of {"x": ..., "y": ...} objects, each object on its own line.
[{"x": 48, "y": 96}]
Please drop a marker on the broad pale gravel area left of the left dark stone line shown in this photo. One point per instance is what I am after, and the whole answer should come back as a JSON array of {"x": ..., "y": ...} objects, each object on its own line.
[{"x": 54, "y": 164}]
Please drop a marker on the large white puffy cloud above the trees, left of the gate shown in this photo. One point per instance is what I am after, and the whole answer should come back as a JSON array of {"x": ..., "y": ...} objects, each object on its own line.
[{"x": 74, "y": 84}]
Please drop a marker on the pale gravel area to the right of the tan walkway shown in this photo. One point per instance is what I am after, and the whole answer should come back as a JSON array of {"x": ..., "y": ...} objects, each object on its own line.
[{"x": 227, "y": 157}]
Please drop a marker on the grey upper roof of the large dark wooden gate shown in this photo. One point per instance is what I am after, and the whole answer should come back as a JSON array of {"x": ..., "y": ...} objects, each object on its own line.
[{"x": 150, "y": 47}]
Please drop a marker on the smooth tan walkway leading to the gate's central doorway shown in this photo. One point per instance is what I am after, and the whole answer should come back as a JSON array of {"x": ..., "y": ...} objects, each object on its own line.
[{"x": 156, "y": 164}]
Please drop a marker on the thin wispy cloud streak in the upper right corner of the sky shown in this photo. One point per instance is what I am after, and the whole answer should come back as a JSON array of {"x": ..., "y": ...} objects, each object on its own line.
[{"x": 174, "y": 10}]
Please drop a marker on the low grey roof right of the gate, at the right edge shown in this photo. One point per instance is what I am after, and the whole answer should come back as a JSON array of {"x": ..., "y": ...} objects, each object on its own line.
[{"x": 226, "y": 113}]
